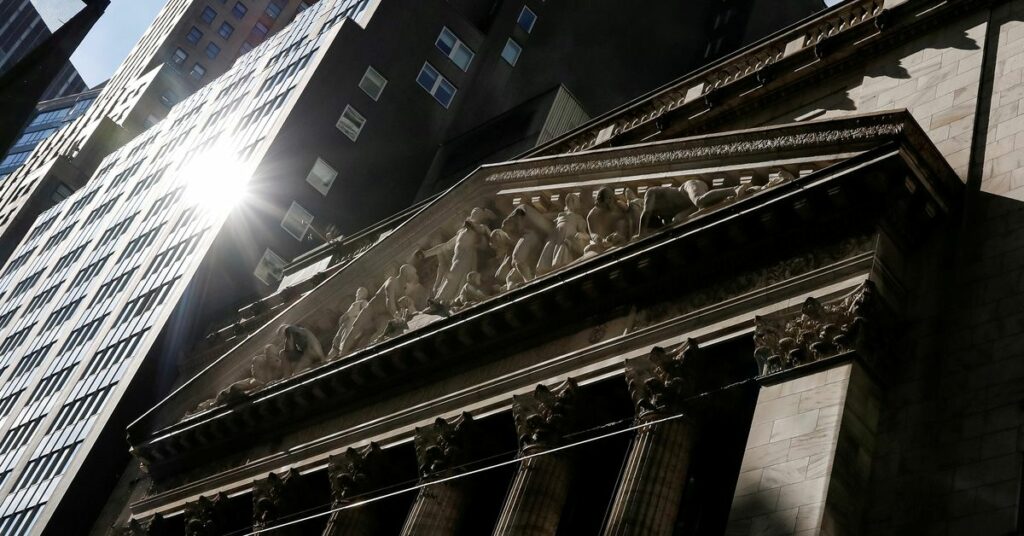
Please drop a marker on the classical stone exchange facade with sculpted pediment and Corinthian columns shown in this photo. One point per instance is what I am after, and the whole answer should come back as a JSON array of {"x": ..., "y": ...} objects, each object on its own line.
[{"x": 782, "y": 296}]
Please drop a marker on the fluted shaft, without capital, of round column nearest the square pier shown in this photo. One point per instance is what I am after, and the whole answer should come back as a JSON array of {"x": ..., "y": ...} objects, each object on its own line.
[{"x": 652, "y": 485}]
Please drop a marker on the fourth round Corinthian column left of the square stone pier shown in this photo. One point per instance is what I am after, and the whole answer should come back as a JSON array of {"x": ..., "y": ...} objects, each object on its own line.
[{"x": 353, "y": 474}]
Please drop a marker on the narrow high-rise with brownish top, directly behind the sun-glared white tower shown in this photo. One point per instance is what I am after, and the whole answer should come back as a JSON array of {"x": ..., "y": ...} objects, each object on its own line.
[{"x": 189, "y": 45}]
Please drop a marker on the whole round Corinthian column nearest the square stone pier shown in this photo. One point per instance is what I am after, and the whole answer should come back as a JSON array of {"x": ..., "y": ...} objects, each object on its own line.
[{"x": 653, "y": 480}]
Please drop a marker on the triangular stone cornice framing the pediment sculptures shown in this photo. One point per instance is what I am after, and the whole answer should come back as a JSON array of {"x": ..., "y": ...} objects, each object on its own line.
[{"x": 865, "y": 142}]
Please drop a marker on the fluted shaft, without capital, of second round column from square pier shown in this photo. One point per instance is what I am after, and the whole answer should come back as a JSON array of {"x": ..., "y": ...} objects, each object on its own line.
[{"x": 537, "y": 498}]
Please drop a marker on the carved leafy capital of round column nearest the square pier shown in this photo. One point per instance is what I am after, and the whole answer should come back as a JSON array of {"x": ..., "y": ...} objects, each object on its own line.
[{"x": 663, "y": 382}]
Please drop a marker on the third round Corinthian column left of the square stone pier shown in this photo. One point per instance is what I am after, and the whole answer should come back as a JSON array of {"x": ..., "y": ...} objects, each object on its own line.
[{"x": 441, "y": 449}]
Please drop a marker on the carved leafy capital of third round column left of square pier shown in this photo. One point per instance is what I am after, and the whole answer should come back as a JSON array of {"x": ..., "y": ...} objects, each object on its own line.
[{"x": 443, "y": 446}]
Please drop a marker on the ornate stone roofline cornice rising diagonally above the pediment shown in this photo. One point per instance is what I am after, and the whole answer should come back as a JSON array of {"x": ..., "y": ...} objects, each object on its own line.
[{"x": 850, "y": 31}]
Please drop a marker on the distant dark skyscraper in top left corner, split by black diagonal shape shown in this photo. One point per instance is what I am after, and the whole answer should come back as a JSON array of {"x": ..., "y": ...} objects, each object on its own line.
[{"x": 22, "y": 28}]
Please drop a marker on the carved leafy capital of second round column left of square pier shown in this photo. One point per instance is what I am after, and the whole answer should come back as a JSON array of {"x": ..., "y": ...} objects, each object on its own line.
[{"x": 542, "y": 418}]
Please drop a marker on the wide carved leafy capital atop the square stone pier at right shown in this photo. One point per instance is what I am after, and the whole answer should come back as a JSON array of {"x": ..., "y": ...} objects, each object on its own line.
[{"x": 820, "y": 332}]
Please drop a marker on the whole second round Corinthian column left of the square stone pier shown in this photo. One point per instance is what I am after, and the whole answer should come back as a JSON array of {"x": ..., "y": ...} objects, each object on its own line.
[{"x": 541, "y": 485}]
